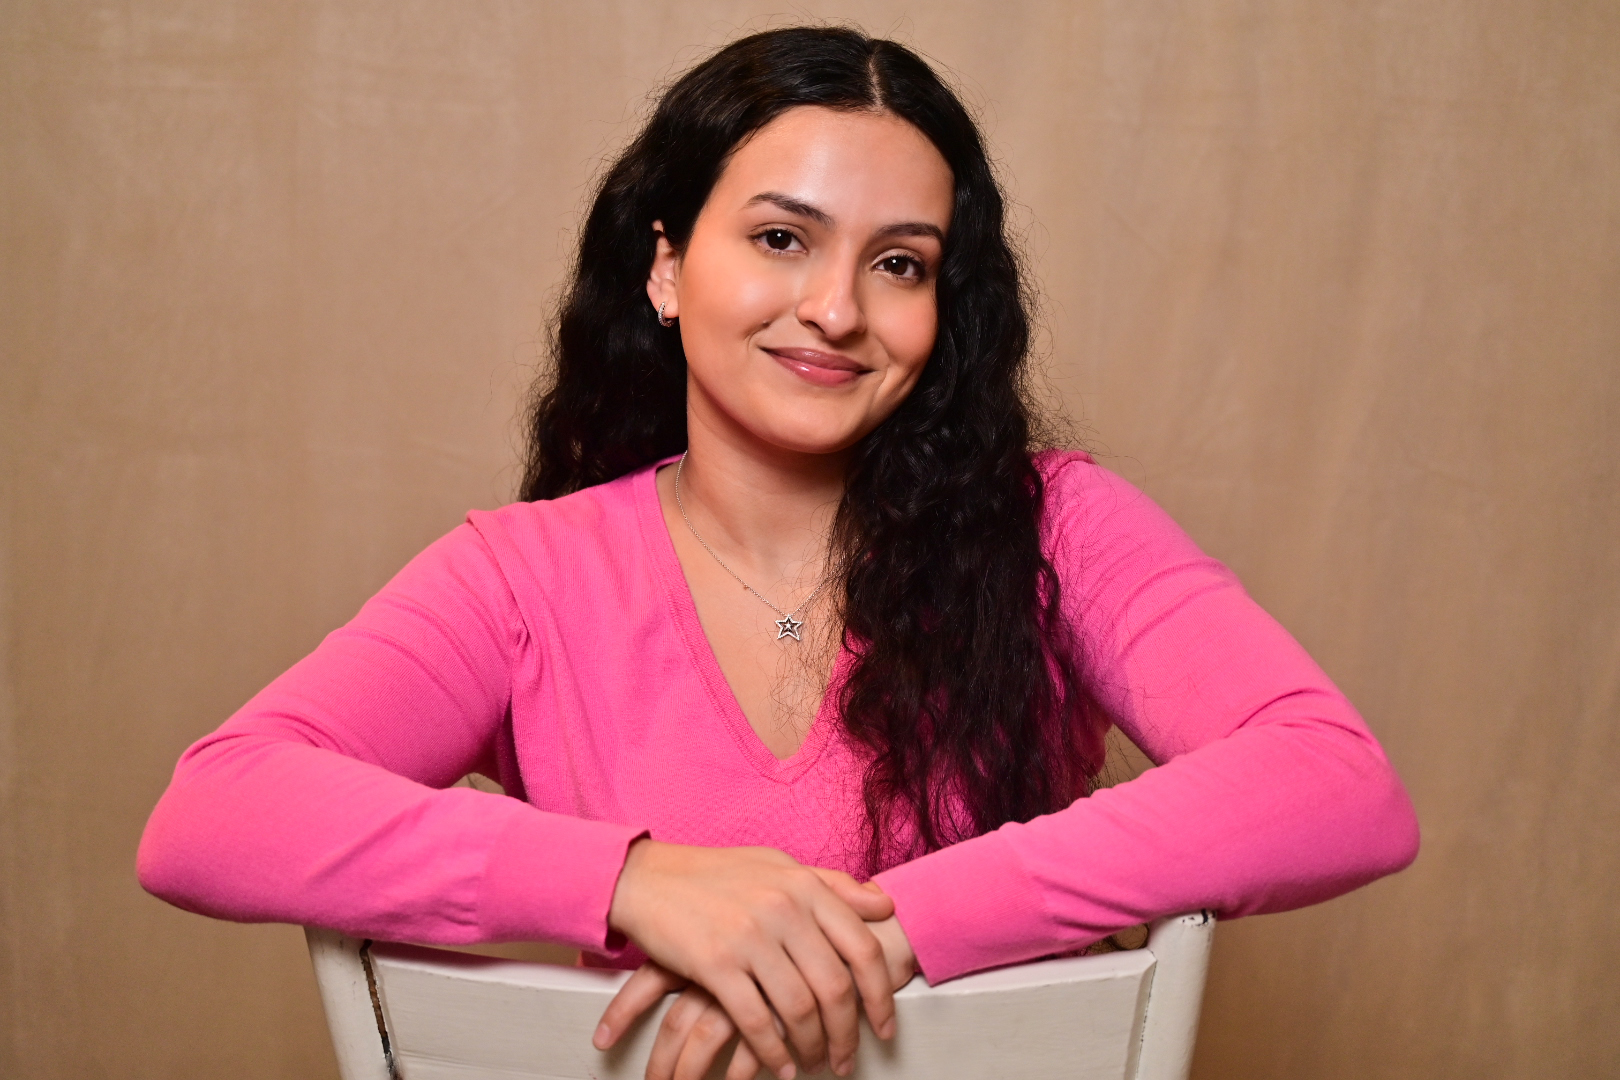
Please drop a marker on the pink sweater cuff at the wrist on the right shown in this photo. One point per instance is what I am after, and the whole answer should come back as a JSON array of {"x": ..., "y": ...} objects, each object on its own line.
[{"x": 968, "y": 908}]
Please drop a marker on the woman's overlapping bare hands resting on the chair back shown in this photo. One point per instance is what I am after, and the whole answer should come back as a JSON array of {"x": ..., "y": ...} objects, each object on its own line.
[{"x": 762, "y": 948}]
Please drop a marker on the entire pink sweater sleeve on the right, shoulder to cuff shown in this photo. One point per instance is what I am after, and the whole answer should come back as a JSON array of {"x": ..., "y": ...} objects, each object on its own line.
[{"x": 1269, "y": 791}]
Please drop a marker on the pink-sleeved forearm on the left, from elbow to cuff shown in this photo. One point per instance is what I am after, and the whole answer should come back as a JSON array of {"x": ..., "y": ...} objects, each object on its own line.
[{"x": 257, "y": 830}]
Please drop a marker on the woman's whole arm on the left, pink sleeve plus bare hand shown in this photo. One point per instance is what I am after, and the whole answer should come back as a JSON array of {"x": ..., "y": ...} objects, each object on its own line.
[{"x": 325, "y": 801}]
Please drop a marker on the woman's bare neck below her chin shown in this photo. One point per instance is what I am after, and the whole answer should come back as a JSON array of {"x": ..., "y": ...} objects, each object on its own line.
[{"x": 767, "y": 511}]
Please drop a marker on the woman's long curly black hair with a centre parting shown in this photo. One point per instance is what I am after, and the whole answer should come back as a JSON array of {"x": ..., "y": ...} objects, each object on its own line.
[{"x": 966, "y": 691}]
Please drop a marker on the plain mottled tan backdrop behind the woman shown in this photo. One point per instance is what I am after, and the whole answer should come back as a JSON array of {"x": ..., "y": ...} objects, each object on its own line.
[{"x": 1337, "y": 283}]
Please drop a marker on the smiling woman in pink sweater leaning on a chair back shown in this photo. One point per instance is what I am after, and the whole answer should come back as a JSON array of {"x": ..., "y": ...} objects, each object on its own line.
[{"x": 791, "y": 605}]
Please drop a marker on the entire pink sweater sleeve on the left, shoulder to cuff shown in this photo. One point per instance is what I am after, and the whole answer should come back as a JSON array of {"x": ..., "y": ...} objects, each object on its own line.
[{"x": 326, "y": 799}]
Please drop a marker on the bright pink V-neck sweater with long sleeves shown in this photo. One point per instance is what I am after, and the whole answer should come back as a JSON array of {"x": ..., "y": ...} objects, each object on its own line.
[{"x": 556, "y": 648}]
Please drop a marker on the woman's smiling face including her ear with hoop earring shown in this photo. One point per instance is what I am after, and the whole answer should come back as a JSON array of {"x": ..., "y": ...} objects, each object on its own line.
[{"x": 808, "y": 291}]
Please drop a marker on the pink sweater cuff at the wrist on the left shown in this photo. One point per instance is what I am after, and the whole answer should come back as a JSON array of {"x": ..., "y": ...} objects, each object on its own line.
[{"x": 552, "y": 878}]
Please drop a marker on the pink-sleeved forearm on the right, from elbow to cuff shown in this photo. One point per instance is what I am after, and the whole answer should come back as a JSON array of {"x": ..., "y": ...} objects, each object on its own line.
[{"x": 1219, "y": 830}]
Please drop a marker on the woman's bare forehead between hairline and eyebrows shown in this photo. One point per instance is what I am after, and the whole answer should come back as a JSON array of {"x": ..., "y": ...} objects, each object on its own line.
[{"x": 864, "y": 169}]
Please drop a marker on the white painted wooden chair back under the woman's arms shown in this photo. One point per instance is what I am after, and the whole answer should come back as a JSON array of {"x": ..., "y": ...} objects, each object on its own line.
[{"x": 428, "y": 1014}]
